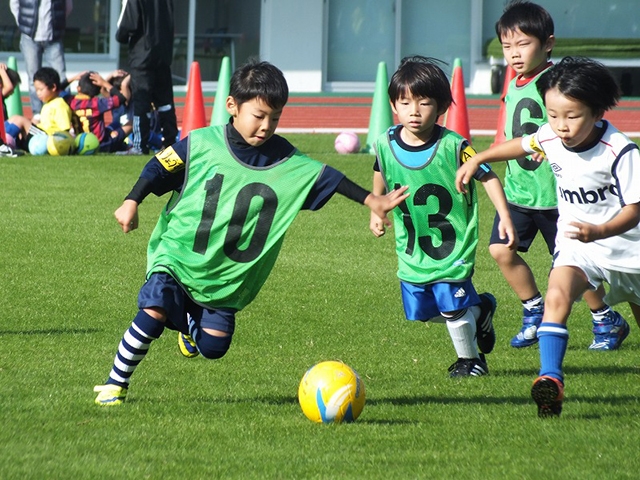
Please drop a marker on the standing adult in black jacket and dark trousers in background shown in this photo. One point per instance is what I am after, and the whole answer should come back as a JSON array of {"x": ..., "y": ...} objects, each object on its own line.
[{"x": 146, "y": 26}]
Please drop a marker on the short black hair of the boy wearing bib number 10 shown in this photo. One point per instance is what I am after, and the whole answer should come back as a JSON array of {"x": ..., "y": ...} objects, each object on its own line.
[{"x": 262, "y": 80}]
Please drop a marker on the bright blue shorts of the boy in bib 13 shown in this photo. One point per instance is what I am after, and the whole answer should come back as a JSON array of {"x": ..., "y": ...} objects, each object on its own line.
[{"x": 423, "y": 302}]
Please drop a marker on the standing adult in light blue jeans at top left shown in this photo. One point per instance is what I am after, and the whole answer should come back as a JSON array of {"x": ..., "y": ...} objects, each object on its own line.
[{"x": 42, "y": 24}]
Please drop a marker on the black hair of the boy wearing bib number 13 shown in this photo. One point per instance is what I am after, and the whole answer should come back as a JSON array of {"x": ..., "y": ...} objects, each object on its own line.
[{"x": 422, "y": 78}]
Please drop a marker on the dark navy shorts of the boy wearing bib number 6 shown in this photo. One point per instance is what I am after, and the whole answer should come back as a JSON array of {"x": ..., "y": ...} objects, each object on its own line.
[{"x": 528, "y": 223}]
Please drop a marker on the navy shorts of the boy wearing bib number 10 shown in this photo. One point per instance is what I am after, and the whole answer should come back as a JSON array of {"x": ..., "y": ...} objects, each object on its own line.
[{"x": 161, "y": 290}]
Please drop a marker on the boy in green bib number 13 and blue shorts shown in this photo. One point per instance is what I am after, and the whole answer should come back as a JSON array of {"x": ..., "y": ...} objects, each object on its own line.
[{"x": 437, "y": 228}]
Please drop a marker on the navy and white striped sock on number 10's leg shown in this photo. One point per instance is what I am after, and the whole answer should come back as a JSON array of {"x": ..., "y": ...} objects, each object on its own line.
[{"x": 133, "y": 347}]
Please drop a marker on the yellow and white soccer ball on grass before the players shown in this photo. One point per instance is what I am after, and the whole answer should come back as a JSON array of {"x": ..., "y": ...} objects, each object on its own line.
[{"x": 331, "y": 392}]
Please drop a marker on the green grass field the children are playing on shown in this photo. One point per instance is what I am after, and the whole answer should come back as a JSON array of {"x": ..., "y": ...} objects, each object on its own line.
[{"x": 70, "y": 279}]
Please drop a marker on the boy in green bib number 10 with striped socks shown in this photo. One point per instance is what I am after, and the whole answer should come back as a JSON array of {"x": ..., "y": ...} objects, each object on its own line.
[{"x": 236, "y": 189}]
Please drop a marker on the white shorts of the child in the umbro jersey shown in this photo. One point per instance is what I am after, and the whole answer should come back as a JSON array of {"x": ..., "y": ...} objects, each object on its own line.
[{"x": 623, "y": 286}]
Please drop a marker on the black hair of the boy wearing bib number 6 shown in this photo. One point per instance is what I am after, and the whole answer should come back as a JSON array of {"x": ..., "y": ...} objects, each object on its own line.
[{"x": 528, "y": 17}]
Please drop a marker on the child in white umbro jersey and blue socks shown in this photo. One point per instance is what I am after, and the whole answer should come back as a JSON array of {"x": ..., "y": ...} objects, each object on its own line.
[{"x": 597, "y": 171}]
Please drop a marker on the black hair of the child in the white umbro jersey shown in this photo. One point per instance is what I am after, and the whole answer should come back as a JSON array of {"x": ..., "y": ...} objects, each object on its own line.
[{"x": 584, "y": 80}]
